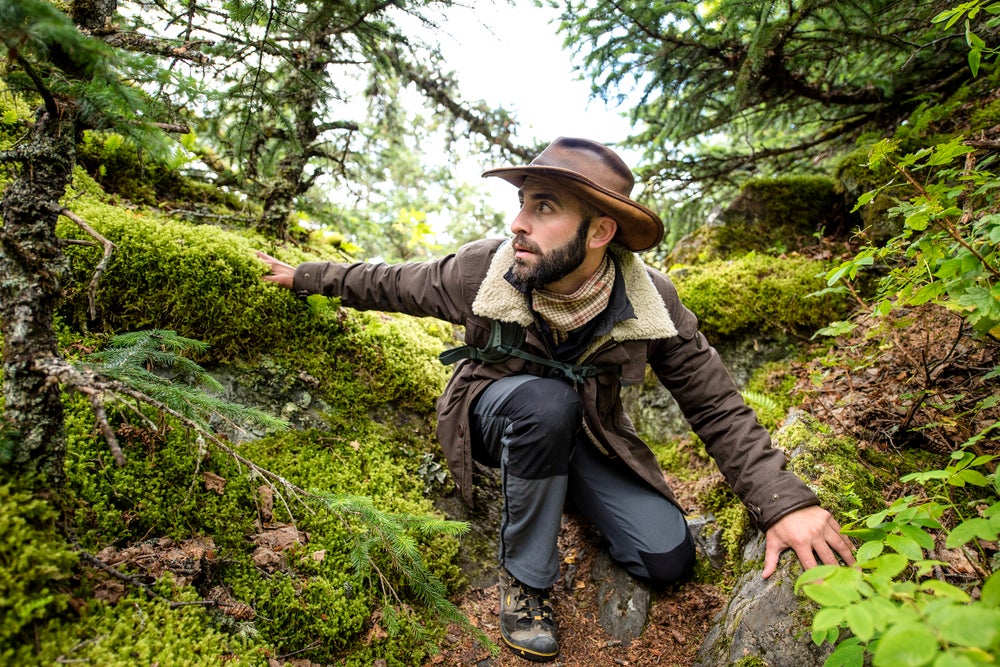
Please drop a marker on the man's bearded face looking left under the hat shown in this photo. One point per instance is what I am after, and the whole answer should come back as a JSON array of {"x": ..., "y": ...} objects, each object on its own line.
[{"x": 550, "y": 233}]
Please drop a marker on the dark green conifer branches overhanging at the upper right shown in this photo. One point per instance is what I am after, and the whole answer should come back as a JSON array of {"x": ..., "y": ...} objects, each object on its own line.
[{"x": 722, "y": 90}]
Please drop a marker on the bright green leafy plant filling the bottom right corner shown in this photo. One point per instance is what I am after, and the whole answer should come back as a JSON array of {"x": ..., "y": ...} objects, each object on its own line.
[{"x": 896, "y": 603}]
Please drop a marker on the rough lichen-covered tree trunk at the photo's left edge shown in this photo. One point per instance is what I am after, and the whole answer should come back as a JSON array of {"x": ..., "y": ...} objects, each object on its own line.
[{"x": 32, "y": 266}]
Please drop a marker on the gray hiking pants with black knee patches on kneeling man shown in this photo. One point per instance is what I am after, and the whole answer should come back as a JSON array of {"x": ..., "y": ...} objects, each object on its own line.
[{"x": 530, "y": 427}]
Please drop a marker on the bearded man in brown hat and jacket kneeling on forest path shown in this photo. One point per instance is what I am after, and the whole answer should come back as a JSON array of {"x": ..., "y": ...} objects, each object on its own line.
[{"x": 557, "y": 320}]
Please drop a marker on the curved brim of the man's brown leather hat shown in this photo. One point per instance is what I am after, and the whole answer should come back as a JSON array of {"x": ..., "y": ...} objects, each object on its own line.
[{"x": 639, "y": 228}]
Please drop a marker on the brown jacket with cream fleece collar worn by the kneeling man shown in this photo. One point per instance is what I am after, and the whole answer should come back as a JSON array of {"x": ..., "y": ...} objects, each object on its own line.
[{"x": 469, "y": 288}]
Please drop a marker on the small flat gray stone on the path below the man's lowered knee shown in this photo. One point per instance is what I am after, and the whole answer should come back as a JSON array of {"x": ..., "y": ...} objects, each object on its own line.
[{"x": 622, "y": 600}]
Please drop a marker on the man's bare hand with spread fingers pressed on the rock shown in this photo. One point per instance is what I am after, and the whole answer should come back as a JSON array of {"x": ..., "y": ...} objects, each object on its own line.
[{"x": 810, "y": 532}]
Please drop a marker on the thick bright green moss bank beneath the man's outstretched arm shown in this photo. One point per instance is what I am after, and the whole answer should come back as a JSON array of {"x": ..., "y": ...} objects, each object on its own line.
[{"x": 204, "y": 283}]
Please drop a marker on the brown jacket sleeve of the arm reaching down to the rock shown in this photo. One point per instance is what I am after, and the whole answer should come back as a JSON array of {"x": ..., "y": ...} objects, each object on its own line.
[{"x": 690, "y": 368}]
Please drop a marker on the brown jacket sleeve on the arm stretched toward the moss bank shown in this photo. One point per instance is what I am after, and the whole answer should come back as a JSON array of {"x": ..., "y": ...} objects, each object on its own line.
[{"x": 441, "y": 288}]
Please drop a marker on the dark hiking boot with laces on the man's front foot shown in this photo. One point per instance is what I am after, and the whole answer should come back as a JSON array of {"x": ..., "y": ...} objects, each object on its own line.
[{"x": 527, "y": 623}]
